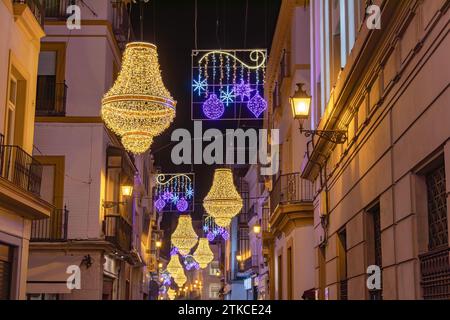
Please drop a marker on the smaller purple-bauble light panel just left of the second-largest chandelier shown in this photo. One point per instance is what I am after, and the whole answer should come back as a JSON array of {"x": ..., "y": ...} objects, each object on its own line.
[{"x": 175, "y": 193}]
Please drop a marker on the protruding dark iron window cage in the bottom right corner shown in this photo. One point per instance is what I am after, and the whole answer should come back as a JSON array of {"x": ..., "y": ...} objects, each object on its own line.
[{"x": 435, "y": 274}]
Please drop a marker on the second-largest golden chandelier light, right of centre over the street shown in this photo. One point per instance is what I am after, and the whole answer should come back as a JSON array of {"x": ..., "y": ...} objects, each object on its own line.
[{"x": 223, "y": 202}]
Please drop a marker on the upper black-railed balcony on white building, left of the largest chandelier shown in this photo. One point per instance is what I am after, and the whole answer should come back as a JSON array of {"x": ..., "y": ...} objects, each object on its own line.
[{"x": 50, "y": 97}]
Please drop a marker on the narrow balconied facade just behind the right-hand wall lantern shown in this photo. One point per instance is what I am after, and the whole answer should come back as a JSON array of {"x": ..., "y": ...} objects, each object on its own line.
[{"x": 288, "y": 244}]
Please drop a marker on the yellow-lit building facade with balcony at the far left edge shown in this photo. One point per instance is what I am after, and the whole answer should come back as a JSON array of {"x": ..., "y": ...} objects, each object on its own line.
[{"x": 21, "y": 202}]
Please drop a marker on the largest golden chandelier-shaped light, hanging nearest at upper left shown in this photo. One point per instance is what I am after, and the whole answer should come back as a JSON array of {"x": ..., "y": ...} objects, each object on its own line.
[{"x": 138, "y": 107}]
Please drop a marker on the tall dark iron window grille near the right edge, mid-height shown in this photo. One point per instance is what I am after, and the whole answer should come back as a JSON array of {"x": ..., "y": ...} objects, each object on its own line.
[{"x": 437, "y": 208}]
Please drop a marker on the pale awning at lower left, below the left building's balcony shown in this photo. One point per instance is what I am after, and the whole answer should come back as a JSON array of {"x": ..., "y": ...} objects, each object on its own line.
[{"x": 47, "y": 273}]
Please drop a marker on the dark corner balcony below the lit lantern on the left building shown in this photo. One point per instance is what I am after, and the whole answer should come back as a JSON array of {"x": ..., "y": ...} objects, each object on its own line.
[{"x": 118, "y": 231}]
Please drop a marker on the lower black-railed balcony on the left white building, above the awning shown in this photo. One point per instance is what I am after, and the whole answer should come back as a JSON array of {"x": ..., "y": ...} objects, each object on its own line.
[{"x": 53, "y": 229}]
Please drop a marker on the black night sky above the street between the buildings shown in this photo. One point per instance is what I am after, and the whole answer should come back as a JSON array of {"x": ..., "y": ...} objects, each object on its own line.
[{"x": 221, "y": 24}]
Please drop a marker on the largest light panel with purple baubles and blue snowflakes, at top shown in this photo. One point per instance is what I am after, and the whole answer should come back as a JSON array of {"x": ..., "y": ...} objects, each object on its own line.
[{"x": 228, "y": 84}]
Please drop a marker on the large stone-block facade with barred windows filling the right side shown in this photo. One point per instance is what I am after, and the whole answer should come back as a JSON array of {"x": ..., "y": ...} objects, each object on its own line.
[{"x": 381, "y": 198}]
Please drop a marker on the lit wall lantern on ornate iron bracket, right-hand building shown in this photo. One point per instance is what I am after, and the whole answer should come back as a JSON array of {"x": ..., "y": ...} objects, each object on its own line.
[{"x": 301, "y": 106}]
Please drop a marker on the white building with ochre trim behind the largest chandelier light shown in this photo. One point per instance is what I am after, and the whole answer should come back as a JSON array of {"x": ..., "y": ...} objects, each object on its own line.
[{"x": 99, "y": 226}]
